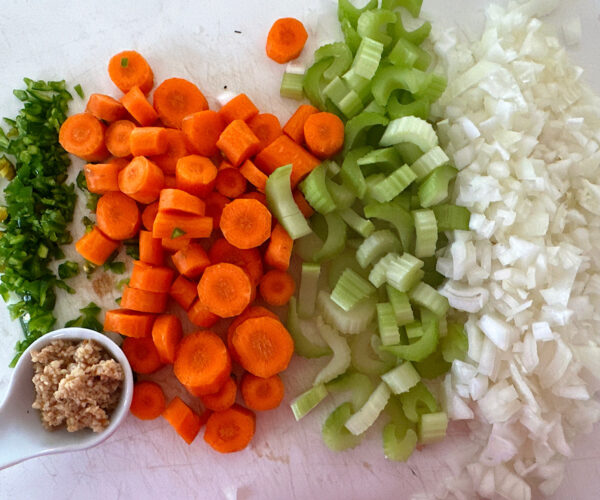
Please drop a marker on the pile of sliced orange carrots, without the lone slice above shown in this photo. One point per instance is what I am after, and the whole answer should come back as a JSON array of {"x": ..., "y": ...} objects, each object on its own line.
[{"x": 189, "y": 183}]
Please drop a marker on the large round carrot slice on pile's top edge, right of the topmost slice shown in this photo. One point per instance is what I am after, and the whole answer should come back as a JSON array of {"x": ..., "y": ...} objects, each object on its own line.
[{"x": 175, "y": 98}]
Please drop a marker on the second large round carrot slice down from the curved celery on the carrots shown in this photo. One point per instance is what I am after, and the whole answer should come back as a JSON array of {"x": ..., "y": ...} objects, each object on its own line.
[{"x": 225, "y": 289}]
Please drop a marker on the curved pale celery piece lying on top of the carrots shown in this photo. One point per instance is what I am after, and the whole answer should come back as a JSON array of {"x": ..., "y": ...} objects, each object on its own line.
[{"x": 281, "y": 203}]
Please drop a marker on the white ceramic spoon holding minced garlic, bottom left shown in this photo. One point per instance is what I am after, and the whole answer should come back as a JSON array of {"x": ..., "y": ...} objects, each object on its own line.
[{"x": 22, "y": 435}]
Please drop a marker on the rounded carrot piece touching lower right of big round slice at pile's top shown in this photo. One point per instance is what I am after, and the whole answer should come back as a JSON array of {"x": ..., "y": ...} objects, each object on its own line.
[{"x": 202, "y": 131}]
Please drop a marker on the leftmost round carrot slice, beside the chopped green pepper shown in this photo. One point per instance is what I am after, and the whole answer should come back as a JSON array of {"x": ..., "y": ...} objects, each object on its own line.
[{"x": 83, "y": 135}]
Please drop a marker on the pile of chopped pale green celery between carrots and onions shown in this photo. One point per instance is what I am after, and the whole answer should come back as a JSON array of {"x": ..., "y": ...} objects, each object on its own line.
[{"x": 368, "y": 291}]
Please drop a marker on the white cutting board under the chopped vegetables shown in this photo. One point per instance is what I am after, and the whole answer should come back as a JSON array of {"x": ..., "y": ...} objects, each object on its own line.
[{"x": 199, "y": 40}]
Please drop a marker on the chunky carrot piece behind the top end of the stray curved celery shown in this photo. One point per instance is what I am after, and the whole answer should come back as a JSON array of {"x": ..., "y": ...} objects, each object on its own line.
[{"x": 283, "y": 151}]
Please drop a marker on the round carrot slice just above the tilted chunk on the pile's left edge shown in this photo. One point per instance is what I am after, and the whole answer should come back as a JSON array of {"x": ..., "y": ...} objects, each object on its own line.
[{"x": 117, "y": 216}]
